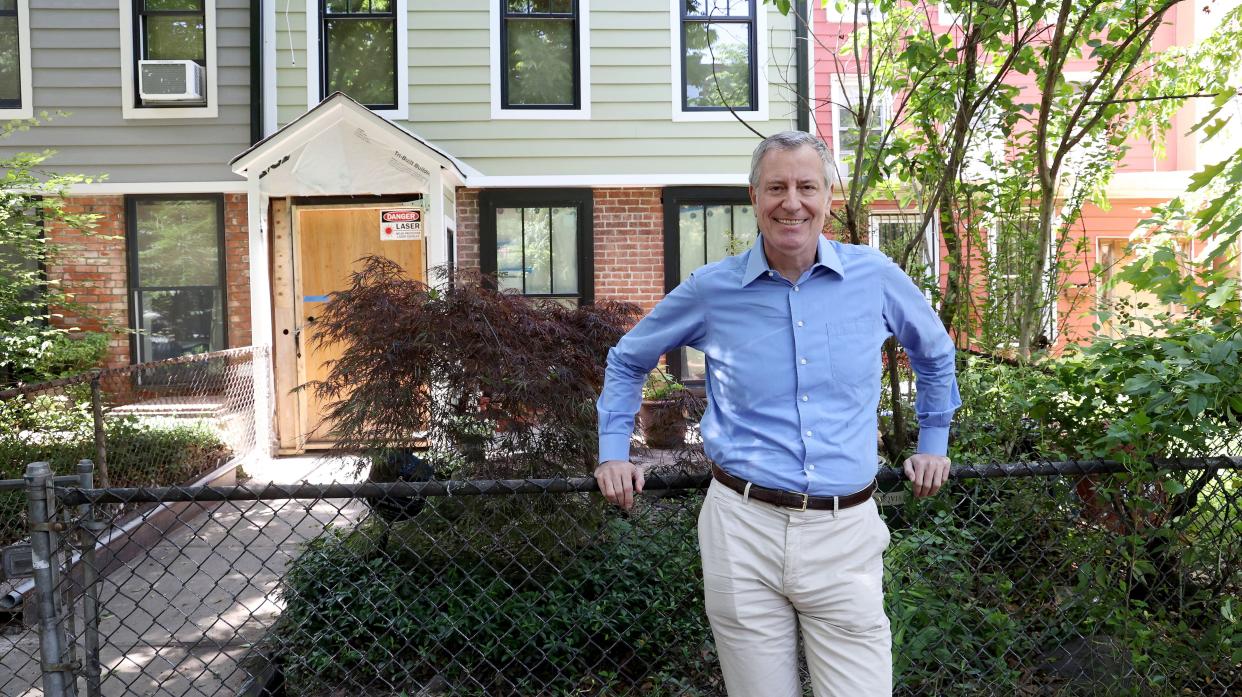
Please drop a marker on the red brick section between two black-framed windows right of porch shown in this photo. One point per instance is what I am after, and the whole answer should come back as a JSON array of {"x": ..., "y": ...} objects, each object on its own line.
[{"x": 630, "y": 247}]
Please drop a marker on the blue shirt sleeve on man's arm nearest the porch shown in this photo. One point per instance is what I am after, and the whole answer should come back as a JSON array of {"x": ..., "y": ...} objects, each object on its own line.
[{"x": 678, "y": 321}]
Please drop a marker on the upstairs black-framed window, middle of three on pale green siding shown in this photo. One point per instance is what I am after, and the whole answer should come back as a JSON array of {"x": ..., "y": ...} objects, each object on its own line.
[{"x": 540, "y": 55}]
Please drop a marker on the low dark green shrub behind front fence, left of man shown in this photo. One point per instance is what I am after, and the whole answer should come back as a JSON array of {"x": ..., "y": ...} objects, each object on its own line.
[{"x": 625, "y": 609}]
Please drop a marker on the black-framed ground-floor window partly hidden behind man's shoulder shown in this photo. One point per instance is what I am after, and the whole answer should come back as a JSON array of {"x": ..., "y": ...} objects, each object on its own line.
[{"x": 702, "y": 225}]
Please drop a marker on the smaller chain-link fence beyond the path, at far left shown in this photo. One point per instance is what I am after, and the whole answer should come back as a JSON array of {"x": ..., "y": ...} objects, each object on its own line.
[{"x": 153, "y": 424}]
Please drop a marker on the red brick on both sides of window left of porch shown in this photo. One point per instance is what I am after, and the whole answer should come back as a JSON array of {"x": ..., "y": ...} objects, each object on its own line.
[{"x": 94, "y": 269}]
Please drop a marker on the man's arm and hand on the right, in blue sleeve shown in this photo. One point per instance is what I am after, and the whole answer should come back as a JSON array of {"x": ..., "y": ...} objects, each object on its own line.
[{"x": 932, "y": 355}]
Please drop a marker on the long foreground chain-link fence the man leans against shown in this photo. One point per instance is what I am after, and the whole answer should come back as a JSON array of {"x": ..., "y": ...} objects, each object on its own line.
[{"x": 1067, "y": 578}]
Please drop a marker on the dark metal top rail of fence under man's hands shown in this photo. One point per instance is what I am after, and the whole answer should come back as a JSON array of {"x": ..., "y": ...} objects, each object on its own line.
[{"x": 71, "y": 496}]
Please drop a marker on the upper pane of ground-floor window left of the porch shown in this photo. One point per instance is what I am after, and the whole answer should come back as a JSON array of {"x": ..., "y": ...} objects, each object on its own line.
[{"x": 178, "y": 243}]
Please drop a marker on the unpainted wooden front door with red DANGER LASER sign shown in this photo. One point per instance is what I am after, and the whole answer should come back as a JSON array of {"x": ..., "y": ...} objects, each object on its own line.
[{"x": 329, "y": 244}]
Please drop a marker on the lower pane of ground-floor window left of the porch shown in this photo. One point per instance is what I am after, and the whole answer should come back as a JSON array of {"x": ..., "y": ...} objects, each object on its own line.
[{"x": 179, "y": 322}]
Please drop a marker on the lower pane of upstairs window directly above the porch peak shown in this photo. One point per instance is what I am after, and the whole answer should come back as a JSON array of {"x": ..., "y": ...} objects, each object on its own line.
[{"x": 361, "y": 60}]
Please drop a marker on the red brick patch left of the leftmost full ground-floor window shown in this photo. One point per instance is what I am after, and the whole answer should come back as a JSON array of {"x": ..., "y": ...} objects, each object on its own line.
[{"x": 93, "y": 269}]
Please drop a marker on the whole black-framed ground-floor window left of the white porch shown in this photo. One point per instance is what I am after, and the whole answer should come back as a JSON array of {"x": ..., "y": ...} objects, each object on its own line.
[{"x": 177, "y": 275}]
